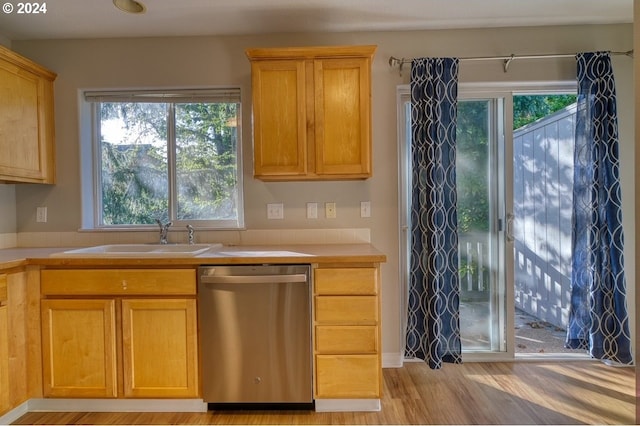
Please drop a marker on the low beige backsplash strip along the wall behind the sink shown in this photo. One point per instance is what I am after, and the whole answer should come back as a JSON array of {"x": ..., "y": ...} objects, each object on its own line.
[{"x": 246, "y": 237}]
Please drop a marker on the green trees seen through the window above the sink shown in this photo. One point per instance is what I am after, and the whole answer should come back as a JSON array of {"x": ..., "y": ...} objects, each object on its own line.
[{"x": 135, "y": 145}]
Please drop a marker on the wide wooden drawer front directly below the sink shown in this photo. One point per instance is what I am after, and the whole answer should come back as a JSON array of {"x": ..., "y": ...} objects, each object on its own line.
[{"x": 82, "y": 282}]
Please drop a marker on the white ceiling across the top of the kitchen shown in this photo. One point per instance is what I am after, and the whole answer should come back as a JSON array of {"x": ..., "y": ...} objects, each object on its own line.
[{"x": 66, "y": 19}]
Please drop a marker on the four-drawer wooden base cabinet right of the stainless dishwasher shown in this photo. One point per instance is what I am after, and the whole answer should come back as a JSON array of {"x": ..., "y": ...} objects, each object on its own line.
[{"x": 347, "y": 333}]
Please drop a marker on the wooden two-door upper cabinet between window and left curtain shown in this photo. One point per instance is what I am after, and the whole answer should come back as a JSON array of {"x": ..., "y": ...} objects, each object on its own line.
[{"x": 311, "y": 112}]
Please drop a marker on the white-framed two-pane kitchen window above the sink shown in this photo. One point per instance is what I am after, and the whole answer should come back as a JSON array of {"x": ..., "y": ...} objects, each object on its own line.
[{"x": 168, "y": 155}]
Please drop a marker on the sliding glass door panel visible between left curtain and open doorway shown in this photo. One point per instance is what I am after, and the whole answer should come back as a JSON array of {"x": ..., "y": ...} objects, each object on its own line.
[{"x": 482, "y": 224}]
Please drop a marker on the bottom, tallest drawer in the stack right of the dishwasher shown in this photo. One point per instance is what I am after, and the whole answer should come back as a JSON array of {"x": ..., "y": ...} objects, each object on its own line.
[{"x": 347, "y": 376}]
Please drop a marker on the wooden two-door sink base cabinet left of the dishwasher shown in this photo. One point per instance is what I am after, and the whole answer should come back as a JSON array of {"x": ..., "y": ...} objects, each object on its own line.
[{"x": 138, "y": 343}]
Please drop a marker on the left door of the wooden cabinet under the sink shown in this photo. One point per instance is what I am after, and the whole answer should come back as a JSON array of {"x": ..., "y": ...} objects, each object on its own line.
[{"x": 79, "y": 348}]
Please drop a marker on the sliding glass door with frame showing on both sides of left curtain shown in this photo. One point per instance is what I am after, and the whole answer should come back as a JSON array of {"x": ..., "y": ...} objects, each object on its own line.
[{"x": 485, "y": 253}]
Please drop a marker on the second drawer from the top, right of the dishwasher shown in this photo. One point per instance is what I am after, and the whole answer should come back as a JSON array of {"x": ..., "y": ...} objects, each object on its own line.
[{"x": 347, "y": 309}]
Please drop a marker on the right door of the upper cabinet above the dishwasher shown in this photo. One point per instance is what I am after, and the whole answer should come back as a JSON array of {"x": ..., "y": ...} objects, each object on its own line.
[{"x": 343, "y": 117}]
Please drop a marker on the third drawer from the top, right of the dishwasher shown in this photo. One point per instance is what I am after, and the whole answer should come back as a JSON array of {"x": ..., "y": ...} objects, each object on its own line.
[{"x": 346, "y": 339}]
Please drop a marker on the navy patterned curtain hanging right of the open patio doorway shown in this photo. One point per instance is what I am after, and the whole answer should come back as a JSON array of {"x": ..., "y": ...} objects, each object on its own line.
[{"x": 598, "y": 319}]
